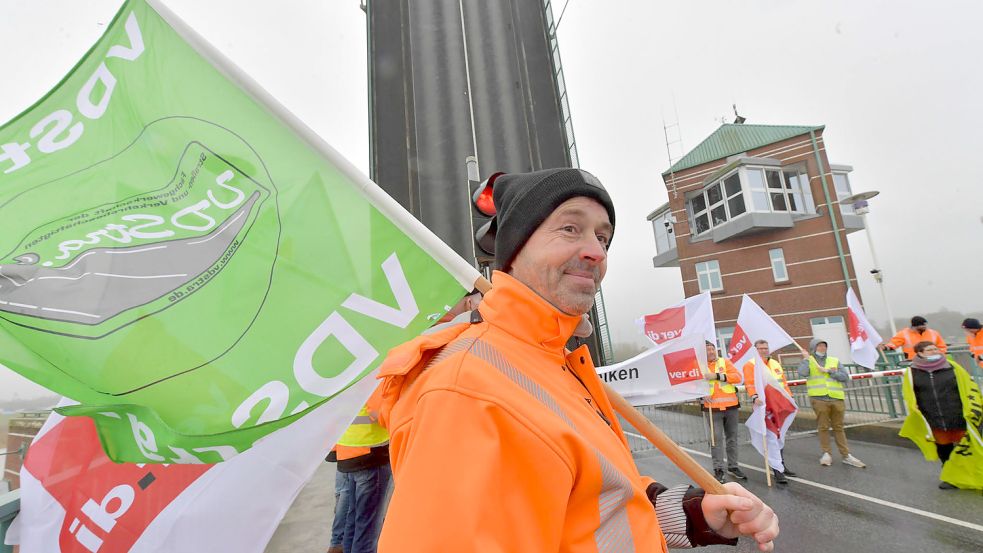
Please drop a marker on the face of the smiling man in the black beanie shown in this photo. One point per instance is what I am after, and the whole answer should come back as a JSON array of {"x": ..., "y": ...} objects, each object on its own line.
[{"x": 565, "y": 260}]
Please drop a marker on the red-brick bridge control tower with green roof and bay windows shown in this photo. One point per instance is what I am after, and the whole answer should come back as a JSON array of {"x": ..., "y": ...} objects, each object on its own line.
[{"x": 748, "y": 213}]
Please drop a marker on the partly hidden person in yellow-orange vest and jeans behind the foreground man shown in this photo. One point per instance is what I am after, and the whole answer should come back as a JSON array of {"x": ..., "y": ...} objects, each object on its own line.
[{"x": 363, "y": 461}]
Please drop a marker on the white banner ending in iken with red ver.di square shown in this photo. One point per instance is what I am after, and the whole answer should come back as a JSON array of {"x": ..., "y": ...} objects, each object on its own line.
[{"x": 668, "y": 373}]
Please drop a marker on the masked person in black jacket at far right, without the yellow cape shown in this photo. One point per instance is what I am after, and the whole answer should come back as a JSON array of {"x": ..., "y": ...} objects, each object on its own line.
[{"x": 937, "y": 394}]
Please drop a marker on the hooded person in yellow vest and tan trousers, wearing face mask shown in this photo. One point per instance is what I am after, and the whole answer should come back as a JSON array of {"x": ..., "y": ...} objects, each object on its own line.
[{"x": 824, "y": 381}]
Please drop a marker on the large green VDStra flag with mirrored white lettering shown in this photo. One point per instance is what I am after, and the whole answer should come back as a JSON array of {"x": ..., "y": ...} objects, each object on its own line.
[{"x": 187, "y": 260}]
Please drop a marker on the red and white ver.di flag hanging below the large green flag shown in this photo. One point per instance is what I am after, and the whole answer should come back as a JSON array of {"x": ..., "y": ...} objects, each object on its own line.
[{"x": 75, "y": 500}]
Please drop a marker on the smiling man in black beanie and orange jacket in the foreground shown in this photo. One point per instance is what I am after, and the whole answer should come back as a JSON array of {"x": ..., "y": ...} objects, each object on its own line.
[{"x": 501, "y": 440}]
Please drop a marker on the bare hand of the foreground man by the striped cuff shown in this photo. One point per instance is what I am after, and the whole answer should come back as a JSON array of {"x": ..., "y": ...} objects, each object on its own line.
[{"x": 741, "y": 513}]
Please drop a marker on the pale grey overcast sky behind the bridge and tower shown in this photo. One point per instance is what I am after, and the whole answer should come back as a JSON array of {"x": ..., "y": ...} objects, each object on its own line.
[{"x": 896, "y": 83}]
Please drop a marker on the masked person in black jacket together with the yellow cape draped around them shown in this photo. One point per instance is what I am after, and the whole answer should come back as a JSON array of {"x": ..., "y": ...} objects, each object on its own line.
[{"x": 945, "y": 415}]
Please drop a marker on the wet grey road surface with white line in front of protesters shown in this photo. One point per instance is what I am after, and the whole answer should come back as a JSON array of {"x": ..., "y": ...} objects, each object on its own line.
[{"x": 816, "y": 520}]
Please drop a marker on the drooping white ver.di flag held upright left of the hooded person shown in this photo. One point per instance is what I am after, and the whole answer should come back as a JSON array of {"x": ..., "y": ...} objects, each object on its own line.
[{"x": 772, "y": 419}]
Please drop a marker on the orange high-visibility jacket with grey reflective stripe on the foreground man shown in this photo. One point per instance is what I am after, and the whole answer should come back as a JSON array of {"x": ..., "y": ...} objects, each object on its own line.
[{"x": 503, "y": 442}]
